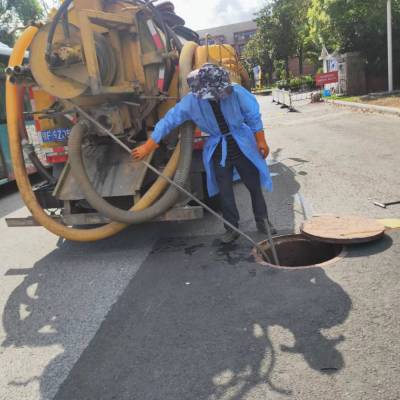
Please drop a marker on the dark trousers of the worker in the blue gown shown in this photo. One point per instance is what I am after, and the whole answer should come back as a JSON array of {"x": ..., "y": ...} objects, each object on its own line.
[{"x": 251, "y": 179}]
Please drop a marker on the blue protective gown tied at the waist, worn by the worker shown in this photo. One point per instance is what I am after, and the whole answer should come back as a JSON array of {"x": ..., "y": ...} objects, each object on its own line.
[{"x": 242, "y": 113}]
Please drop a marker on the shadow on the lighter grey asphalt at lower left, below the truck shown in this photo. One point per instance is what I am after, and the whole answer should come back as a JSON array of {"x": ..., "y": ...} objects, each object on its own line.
[{"x": 62, "y": 300}]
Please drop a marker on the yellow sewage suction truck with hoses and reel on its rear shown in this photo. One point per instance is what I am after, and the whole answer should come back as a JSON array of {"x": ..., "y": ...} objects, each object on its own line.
[{"x": 124, "y": 63}]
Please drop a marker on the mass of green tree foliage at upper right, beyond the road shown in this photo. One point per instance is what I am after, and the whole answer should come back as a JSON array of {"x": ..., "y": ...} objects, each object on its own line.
[{"x": 300, "y": 28}]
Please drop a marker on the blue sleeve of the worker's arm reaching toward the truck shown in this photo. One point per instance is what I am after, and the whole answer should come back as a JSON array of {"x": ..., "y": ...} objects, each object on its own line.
[{"x": 175, "y": 117}]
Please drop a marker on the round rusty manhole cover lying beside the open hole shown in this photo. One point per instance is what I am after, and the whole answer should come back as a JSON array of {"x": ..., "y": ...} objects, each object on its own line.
[{"x": 345, "y": 229}]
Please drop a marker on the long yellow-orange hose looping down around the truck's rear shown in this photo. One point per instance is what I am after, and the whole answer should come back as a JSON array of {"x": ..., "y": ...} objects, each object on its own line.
[{"x": 14, "y": 113}]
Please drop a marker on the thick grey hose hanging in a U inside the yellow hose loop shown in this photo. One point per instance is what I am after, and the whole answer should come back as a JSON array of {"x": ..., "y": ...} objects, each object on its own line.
[{"x": 169, "y": 198}]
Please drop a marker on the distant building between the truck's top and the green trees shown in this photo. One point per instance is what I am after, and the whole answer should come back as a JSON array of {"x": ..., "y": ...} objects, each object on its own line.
[{"x": 237, "y": 35}]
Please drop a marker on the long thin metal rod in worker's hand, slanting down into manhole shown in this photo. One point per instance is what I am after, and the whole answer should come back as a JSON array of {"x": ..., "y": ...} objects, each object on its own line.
[{"x": 187, "y": 193}]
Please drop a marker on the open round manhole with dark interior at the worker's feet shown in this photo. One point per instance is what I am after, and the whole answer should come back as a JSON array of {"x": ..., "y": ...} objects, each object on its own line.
[{"x": 296, "y": 251}]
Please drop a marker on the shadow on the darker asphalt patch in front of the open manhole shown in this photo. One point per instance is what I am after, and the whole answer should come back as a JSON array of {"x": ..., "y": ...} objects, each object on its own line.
[{"x": 195, "y": 322}]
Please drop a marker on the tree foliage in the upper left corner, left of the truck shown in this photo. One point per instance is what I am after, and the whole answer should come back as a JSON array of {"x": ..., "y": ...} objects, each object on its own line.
[{"x": 16, "y": 13}]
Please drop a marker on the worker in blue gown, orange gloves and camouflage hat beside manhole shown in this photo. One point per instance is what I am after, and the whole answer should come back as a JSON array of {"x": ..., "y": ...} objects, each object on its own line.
[{"x": 231, "y": 116}]
